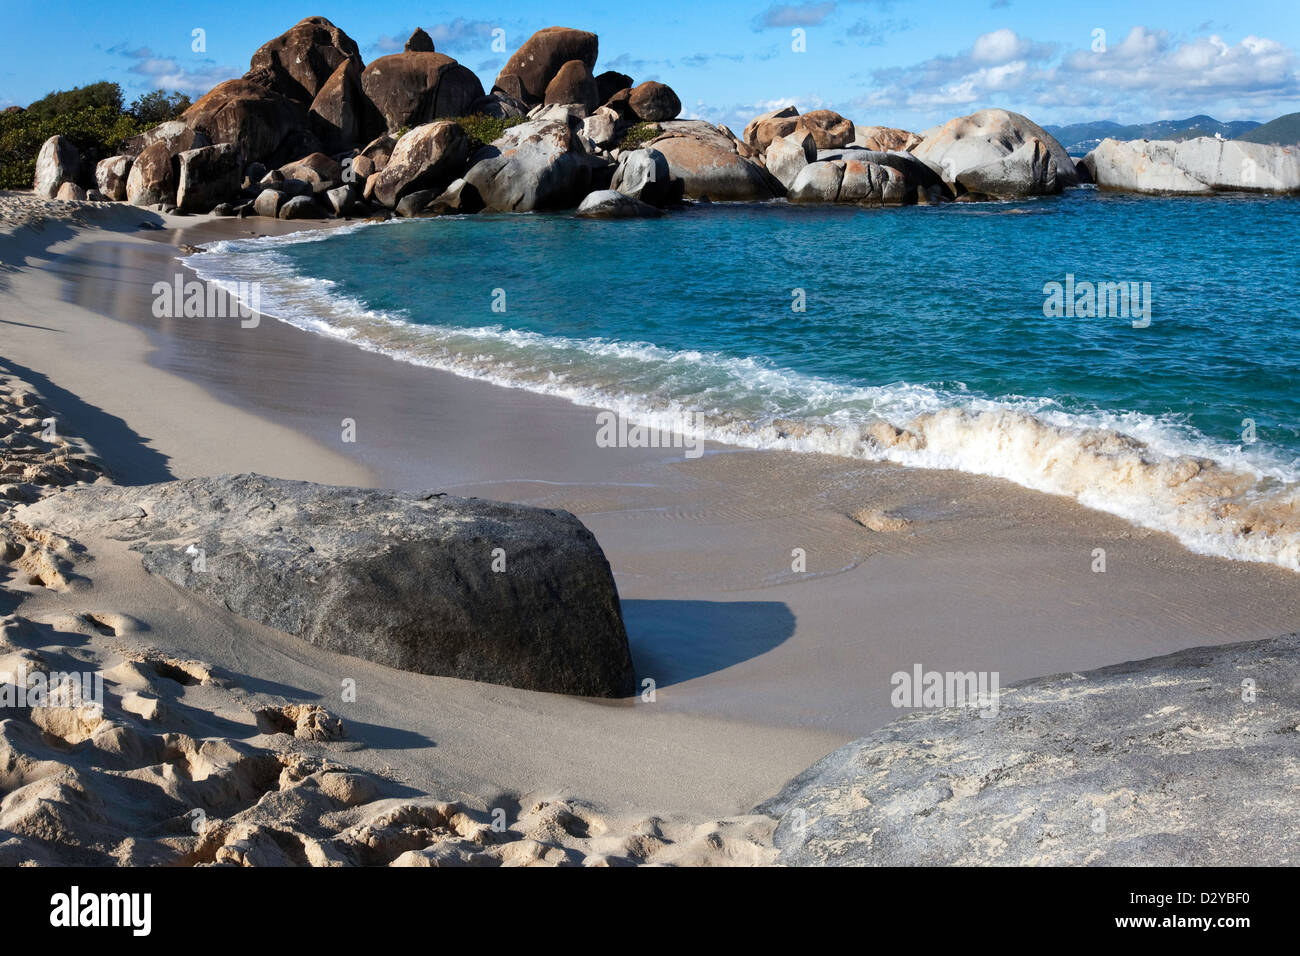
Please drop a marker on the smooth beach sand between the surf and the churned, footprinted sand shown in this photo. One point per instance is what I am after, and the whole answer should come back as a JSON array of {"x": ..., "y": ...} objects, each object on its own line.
[{"x": 760, "y": 671}]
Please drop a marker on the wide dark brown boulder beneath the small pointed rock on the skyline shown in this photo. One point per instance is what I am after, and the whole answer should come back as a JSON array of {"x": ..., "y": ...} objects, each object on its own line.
[{"x": 414, "y": 89}]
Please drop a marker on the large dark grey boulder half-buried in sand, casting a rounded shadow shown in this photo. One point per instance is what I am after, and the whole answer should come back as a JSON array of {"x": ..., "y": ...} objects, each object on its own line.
[{"x": 405, "y": 581}]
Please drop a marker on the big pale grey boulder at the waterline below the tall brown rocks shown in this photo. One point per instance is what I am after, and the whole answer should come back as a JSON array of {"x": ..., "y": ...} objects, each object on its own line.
[{"x": 536, "y": 166}]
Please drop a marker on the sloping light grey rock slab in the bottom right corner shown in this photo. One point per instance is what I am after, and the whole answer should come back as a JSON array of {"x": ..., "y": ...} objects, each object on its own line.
[{"x": 1158, "y": 763}]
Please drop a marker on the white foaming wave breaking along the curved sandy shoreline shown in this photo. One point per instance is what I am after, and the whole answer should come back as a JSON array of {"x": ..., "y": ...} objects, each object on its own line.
[{"x": 1233, "y": 501}]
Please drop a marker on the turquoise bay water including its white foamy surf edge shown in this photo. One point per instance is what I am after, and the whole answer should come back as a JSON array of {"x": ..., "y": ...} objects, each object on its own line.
[{"x": 929, "y": 319}]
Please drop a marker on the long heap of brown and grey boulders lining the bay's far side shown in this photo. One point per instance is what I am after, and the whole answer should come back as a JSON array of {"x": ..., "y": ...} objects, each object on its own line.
[{"x": 313, "y": 132}]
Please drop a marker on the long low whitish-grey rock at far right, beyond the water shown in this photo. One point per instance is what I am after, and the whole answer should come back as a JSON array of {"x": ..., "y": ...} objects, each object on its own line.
[{"x": 1194, "y": 167}]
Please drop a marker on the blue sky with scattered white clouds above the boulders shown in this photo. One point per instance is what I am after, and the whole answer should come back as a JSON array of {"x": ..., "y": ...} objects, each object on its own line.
[{"x": 895, "y": 63}]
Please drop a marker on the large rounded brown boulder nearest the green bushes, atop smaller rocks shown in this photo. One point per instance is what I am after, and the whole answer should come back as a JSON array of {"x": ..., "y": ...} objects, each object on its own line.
[{"x": 265, "y": 126}]
